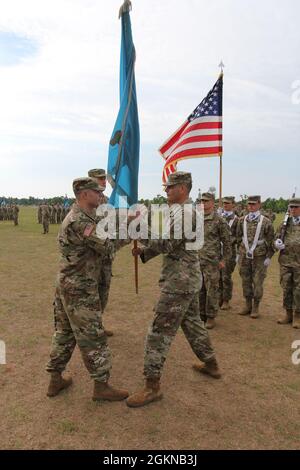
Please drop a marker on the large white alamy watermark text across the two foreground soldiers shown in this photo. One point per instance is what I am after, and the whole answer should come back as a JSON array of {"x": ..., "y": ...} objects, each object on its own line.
[{"x": 160, "y": 221}]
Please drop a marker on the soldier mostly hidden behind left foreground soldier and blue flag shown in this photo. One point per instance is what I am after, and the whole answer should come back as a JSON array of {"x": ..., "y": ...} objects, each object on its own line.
[{"x": 106, "y": 268}]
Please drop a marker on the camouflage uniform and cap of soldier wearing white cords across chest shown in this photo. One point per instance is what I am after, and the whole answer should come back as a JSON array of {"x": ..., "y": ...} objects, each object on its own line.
[{"x": 253, "y": 271}]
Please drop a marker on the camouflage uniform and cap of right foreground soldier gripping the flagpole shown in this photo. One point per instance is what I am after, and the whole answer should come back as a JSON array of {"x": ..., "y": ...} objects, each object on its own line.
[{"x": 178, "y": 305}]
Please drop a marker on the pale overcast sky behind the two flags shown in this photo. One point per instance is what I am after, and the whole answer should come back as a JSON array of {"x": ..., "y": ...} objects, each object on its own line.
[{"x": 59, "y": 77}]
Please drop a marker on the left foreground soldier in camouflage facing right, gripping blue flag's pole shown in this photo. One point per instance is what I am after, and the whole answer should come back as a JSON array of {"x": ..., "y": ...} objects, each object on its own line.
[{"x": 77, "y": 306}]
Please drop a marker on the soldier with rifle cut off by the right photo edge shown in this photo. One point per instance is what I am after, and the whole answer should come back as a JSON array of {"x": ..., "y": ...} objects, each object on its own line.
[{"x": 289, "y": 260}]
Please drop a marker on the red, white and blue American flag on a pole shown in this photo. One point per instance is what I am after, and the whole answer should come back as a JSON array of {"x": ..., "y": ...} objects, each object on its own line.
[{"x": 200, "y": 135}]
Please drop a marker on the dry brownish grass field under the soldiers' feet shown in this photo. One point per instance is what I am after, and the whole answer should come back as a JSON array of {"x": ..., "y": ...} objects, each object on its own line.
[{"x": 254, "y": 406}]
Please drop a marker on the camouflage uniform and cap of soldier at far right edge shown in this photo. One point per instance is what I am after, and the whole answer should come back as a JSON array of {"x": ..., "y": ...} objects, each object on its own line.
[{"x": 289, "y": 260}]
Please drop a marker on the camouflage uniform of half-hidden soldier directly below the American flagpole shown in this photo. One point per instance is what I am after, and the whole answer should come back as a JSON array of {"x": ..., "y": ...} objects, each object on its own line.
[{"x": 226, "y": 284}]
